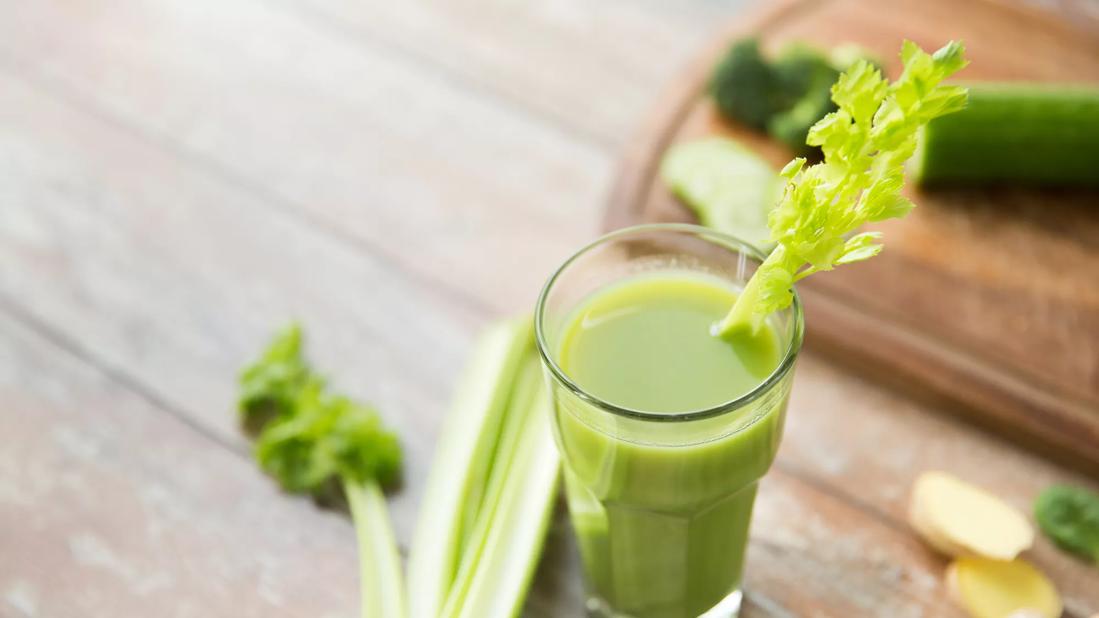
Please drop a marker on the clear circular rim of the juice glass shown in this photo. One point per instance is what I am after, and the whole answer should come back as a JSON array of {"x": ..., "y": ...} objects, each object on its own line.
[{"x": 729, "y": 241}]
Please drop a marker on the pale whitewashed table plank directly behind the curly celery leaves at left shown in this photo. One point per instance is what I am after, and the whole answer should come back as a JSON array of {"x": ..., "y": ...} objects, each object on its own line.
[{"x": 175, "y": 280}]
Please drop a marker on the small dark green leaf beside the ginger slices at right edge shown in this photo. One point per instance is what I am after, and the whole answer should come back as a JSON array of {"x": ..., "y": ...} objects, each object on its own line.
[{"x": 1070, "y": 516}]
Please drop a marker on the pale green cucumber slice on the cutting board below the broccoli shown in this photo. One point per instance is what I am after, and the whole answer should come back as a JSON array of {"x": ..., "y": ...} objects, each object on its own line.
[{"x": 728, "y": 186}]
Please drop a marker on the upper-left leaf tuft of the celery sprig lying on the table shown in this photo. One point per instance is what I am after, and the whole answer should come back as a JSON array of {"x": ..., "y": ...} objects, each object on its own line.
[{"x": 271, "y": 384}]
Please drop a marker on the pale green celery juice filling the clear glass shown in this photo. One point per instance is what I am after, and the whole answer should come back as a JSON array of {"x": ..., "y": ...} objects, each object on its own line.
[{"x": 661, "y": 503}]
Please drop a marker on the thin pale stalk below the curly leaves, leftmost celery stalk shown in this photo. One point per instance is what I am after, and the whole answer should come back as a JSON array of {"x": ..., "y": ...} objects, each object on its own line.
[{"x": 381, "y": 587}]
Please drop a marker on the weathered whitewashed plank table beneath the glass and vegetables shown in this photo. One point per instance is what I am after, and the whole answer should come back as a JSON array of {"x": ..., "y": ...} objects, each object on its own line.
[{"x": 180, "y": 178}]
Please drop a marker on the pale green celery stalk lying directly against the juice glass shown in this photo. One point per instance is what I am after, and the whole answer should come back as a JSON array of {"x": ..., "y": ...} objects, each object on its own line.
[{"x": 506, "y": 545}]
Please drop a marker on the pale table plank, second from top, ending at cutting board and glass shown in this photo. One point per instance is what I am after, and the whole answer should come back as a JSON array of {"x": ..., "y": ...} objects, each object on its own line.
[{"x": 465, "y": 192}]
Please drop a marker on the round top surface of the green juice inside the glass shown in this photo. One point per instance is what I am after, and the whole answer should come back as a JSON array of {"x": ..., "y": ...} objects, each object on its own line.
[{"x": 646, "y": 345}]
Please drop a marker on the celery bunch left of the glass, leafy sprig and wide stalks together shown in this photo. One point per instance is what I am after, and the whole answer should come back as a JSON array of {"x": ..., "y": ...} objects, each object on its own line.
[{"x": 491, "y": 491}]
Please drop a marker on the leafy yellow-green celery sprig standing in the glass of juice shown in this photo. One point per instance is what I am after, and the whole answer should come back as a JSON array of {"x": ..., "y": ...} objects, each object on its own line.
[{"x": 867, "y": 144}]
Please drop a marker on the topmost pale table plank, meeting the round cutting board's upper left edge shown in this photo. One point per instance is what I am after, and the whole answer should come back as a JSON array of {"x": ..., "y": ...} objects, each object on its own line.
[{"x": 586, "y": 67}]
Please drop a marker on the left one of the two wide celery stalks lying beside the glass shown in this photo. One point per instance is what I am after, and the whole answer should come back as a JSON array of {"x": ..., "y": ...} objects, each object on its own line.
[{"x": 460, "y": 472}]
